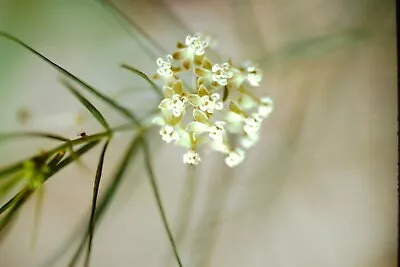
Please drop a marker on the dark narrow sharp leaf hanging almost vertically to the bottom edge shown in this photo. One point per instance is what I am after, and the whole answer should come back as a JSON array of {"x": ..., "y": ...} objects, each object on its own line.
[{"x": 94, "y": 201}]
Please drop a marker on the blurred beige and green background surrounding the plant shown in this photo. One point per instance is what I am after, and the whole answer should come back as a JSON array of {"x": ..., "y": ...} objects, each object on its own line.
[{"x": 320, "y": 189}]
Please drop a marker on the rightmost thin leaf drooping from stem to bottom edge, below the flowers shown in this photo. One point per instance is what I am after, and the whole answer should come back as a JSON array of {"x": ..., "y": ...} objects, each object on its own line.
[{"x": 157, "y": 196}]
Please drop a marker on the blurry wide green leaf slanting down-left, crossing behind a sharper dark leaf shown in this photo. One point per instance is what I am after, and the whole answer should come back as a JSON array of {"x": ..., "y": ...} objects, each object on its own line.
[{"x": 109, "y": 194}]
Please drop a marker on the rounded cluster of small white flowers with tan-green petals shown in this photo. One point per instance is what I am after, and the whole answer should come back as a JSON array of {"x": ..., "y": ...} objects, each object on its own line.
[{"x": 220, "y": 91}]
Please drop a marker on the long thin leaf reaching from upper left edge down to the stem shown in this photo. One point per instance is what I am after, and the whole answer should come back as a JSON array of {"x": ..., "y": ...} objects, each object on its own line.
[{"x": 88, "y": 87}]
